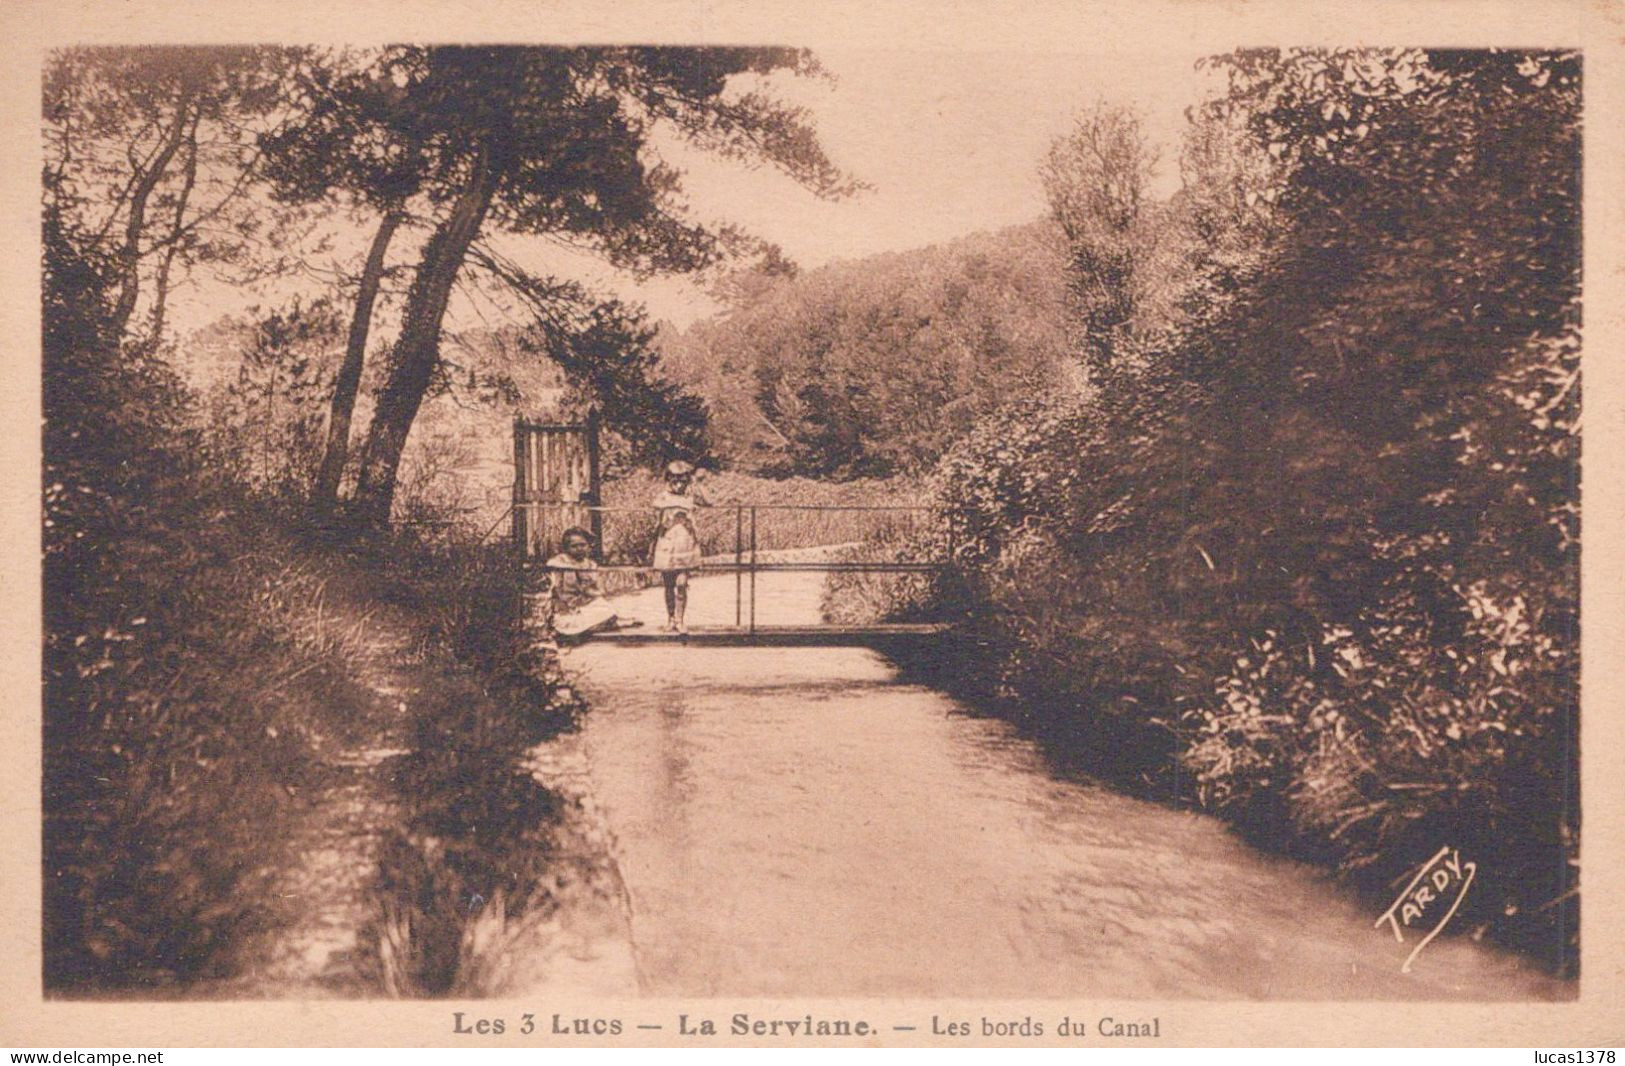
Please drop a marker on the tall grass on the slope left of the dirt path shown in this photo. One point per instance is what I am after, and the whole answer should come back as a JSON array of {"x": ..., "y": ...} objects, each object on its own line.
[{"x": 183, "y": 724}]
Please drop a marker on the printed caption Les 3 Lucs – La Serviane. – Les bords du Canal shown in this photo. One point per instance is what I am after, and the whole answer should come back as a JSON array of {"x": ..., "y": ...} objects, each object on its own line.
[{"x": 745, "y": 1025}]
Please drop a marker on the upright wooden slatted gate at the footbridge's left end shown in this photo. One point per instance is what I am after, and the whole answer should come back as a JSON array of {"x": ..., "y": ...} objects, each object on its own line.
[{"x": 555, "y": 483}]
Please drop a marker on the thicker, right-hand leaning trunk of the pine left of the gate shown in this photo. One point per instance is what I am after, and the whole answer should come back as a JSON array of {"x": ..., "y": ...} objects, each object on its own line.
[{"x": 418, "y": 349}]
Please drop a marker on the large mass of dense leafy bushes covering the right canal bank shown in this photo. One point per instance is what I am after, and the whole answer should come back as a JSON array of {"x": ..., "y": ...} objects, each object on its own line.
[{"x": 1314, "y": 560}]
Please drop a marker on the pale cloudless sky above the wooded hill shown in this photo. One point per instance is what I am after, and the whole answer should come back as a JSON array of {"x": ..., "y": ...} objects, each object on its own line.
[{"x": 950, "y": 144}]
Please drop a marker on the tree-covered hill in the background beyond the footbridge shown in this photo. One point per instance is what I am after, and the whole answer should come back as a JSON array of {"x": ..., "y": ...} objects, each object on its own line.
[{"x": 875, "y": 368}]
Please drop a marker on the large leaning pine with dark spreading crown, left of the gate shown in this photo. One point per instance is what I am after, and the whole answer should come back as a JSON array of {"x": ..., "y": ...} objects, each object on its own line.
[{"x": 555, "y": 144}]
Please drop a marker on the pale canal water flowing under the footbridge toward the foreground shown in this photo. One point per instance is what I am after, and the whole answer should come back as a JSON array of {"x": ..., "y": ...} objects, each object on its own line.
[{"x": 802, "y": 821}]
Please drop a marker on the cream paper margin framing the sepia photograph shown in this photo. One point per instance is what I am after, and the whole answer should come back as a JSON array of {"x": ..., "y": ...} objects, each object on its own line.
[{"x": 32, "y": 27}]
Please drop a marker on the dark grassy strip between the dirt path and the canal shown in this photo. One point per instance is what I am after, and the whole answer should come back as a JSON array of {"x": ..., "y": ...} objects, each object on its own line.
[{"x": 483, "y": 856}]
